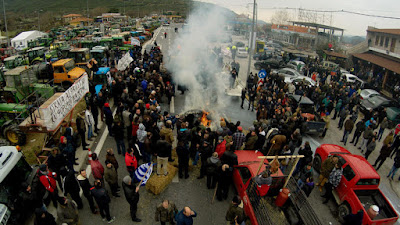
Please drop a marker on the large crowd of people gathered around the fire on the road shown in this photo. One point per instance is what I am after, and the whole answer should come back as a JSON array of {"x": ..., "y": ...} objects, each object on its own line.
[{"x": 151, "y": 133}]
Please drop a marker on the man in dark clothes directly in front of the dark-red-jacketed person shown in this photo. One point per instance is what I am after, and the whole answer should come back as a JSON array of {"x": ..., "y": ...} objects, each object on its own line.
[{"x": 103, "y": 200}]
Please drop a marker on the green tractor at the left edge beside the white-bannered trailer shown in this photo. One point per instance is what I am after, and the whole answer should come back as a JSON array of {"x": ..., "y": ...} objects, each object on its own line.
[{"x": 11, "y": 115}]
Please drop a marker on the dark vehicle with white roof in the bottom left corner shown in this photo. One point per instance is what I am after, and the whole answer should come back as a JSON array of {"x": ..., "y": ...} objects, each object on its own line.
[{"x": 14, "y": 171}]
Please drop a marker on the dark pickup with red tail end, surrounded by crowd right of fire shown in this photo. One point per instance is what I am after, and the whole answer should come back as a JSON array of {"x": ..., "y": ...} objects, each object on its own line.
[{"x": 312, "y": 124}]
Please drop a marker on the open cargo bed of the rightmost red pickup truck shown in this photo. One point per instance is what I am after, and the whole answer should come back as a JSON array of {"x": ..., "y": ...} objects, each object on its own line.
[{"x": 375, "y": 197}]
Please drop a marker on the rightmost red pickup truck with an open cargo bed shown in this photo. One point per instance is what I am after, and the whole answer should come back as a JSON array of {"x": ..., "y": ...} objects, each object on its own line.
[{"x": 359, "y": 187}]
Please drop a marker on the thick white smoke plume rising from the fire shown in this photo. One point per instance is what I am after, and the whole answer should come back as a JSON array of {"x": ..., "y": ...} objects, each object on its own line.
[{"x": 194, "y": 64}]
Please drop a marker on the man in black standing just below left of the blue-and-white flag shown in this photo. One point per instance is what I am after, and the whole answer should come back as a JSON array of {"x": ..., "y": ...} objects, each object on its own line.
[{"x": 132, "y": 196}]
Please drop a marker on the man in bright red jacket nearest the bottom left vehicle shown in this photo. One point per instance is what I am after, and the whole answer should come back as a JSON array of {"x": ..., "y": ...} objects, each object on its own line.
[{"x": 49, "y": 182}]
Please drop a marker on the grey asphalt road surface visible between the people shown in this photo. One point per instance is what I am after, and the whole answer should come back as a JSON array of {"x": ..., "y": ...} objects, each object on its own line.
[{"x": 193, "y": 192}]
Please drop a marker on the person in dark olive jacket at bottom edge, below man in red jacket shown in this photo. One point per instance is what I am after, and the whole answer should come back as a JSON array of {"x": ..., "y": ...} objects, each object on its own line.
[{"x": 67, "y": 212}]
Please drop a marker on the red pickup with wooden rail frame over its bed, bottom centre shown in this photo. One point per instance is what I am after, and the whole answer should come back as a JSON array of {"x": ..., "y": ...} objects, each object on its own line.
[{"x": 297, "y": 209}]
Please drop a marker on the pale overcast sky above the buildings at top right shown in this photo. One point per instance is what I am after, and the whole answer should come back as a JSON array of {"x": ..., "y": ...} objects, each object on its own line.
[{"x": 353, "y": 24}]
